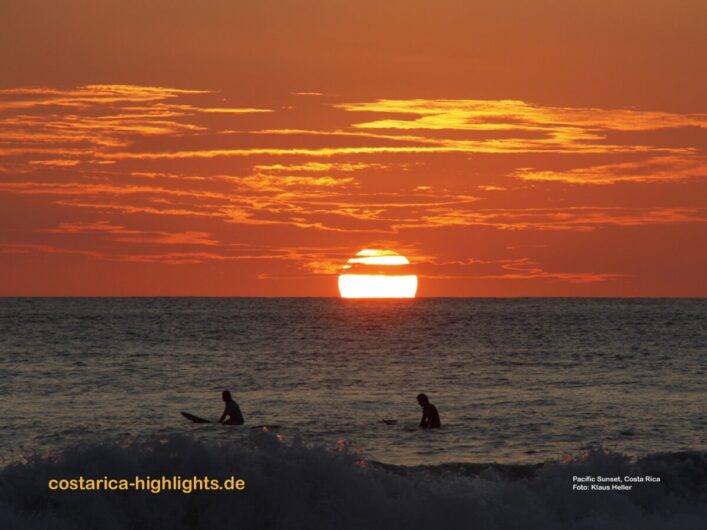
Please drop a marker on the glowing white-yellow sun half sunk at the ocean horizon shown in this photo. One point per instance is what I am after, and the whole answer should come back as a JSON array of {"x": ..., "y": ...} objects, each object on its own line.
[{"x": 375, "y": 273}]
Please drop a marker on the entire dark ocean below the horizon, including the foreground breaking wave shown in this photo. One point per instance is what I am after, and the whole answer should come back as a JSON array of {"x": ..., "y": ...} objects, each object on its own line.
[{"x": 530, "y": 392}]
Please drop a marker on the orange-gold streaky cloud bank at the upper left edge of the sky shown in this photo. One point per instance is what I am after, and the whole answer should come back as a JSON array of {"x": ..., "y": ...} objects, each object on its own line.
[{"x": 53, "y": 122}]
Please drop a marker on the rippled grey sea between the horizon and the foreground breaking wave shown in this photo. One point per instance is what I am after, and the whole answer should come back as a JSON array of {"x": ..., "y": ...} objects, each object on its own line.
[{"x": 514, "y": 380}]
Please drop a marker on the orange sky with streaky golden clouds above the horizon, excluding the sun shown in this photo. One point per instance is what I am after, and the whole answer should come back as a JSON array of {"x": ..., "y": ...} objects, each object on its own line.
[{"x": 548, "y": 148}]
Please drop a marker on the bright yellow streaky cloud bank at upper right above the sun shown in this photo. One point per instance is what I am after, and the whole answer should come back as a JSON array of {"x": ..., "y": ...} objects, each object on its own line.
[{"x": 555, "y": 129}]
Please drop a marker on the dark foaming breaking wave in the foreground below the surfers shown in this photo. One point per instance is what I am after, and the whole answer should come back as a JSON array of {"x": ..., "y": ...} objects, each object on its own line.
[{"x": 291, "y": 486}]
